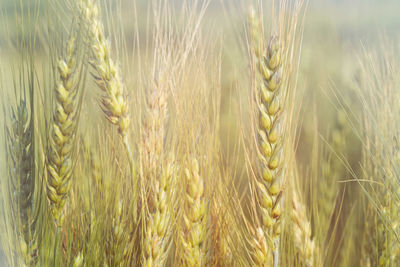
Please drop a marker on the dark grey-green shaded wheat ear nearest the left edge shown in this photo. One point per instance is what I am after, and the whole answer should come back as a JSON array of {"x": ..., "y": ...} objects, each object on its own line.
[{"x": 22, "y": 174}]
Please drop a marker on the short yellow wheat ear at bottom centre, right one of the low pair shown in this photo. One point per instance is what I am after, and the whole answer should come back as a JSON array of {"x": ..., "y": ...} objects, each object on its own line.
[{"x": 193, "y": 232}]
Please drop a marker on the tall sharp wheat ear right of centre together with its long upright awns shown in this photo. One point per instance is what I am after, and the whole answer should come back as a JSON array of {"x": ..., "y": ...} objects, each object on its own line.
[{"x": 273, "y": 71}]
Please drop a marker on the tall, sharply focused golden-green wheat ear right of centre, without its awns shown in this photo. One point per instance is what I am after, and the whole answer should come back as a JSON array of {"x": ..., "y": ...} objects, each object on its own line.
[{"x": 270, "y": 139}]
